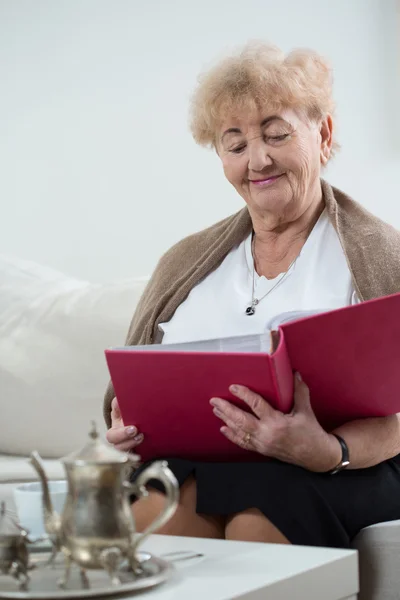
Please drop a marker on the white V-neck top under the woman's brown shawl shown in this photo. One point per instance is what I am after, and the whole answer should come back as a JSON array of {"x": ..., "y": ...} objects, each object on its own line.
[{"x": 319, "y": 280}]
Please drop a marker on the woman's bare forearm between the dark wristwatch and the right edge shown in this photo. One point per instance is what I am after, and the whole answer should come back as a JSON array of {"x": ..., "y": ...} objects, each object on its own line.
[{"x": 371, "y": 441}]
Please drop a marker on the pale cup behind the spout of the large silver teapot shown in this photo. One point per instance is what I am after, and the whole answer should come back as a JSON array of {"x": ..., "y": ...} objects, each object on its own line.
[{"x": 28, "y": 500}]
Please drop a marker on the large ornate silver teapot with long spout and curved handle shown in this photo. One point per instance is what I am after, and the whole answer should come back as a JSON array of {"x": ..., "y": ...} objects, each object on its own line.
[{"x": 96, "y": 529}]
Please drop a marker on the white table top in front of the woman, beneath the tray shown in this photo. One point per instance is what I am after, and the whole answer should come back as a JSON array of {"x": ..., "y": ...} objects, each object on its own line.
[{"x": 253, "y": 571}]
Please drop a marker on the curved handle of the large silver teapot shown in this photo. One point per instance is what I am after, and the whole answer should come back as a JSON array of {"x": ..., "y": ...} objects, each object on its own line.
[{"x": 157, "y": 470}]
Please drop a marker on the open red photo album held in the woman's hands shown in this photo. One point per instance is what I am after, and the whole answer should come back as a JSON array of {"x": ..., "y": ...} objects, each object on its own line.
[{"x": 349, "y": 358}]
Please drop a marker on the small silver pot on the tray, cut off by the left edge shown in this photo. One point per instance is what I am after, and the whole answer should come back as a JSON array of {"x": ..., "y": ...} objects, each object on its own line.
[{"x": 14, "y": 555}]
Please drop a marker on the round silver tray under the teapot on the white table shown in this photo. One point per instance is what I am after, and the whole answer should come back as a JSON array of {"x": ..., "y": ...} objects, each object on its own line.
[{"x": 43, "y": 583}]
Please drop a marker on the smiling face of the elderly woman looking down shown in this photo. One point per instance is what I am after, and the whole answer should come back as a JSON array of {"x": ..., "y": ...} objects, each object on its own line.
[{"x": 274, "y": 161}]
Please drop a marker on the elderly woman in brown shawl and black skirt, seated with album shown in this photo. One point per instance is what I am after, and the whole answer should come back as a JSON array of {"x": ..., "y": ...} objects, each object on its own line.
[{"x": 299, "y": 244}]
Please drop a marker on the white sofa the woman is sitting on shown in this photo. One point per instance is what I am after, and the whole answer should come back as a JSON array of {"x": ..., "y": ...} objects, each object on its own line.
[{"x": 53, "y": 332}]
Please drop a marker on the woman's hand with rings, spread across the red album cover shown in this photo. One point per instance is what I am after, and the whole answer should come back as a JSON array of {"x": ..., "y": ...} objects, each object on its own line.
[{"x": 295, "y": 438}]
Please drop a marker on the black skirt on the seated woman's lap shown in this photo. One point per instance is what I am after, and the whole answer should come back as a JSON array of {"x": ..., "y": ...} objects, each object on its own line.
[{"x": 309, "y": 508}]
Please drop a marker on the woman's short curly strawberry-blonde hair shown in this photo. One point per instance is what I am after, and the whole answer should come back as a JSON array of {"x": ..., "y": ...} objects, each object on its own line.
[{"x": 260, "y": 76}]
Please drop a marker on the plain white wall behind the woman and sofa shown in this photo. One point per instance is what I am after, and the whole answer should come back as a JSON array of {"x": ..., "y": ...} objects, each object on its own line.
[{"x": 98, "y": 172}]
